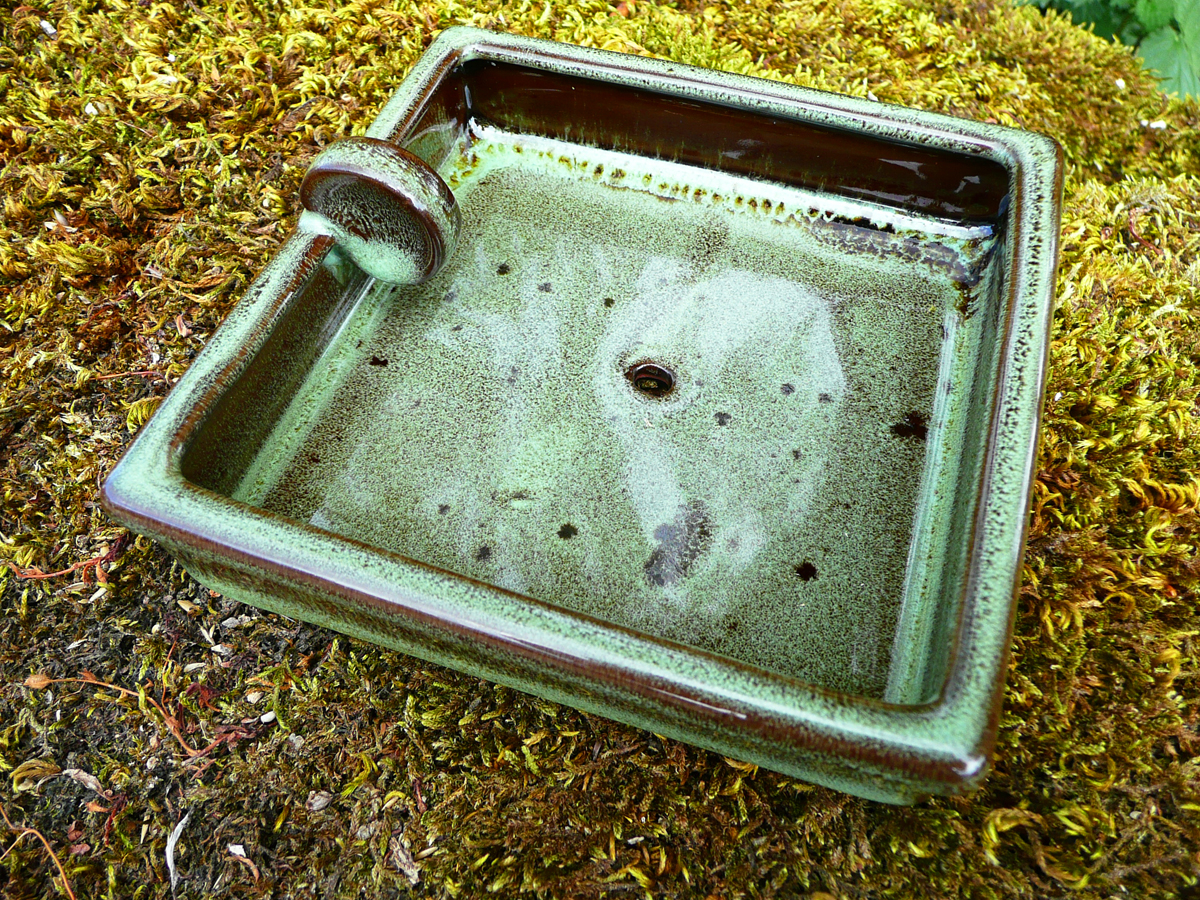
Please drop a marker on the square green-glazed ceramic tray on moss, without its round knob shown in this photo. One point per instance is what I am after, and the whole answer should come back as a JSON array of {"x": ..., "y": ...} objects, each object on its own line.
[{"x": 719, "y": 419}]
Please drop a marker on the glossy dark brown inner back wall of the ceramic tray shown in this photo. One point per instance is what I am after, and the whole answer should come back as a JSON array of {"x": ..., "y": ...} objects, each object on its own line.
[{"x": 916, "y": 179}]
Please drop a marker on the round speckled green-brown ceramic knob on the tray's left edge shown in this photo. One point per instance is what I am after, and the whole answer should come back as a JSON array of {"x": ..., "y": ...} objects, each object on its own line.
[{"x": 394, "y": 215}]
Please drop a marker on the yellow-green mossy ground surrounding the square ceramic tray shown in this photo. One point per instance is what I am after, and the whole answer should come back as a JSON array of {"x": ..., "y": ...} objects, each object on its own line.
[{"x": 152, "y": 155}]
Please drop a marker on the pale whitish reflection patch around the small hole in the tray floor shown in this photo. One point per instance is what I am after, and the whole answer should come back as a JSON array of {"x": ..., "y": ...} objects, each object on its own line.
[{"x": 734, "y": 339}]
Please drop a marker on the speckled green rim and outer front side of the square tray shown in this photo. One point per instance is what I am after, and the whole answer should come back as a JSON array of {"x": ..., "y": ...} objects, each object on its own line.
[{"x": 890, "y": 752}]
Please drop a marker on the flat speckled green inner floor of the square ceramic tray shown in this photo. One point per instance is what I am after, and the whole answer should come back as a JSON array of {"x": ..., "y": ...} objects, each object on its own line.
[{"x": 764, "y": 509}]
